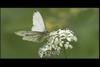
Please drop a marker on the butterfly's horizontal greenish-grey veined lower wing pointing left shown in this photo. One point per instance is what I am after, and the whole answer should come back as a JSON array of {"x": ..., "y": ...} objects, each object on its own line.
[{"x": 32, "y": 36}]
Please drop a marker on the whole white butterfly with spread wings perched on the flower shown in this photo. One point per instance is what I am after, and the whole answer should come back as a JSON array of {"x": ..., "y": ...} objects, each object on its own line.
[{"x": 38, "y": 33}]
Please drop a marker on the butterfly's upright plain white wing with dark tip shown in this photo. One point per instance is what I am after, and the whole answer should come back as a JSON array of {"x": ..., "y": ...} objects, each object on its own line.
[{"x": 38, "y": 23}]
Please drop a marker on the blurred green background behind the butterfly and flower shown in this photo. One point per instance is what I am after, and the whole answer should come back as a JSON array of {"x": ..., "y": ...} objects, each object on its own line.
[{"x": 83, "y": 21}]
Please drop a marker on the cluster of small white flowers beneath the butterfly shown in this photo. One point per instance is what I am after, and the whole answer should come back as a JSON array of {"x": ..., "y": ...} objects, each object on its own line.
[{"x": 57, "y": 40}]
